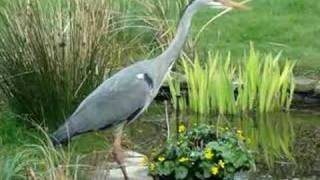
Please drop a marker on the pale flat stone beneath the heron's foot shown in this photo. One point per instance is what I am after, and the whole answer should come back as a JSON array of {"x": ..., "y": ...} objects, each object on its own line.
[{"x": 135, "y": 168}]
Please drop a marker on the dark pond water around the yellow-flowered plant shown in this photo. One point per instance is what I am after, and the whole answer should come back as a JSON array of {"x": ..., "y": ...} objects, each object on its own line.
[{"x": 287, "y": 145}]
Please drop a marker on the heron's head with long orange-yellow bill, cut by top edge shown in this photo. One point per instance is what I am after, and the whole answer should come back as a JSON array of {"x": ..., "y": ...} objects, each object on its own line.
[{"x": 220, "y": 4}]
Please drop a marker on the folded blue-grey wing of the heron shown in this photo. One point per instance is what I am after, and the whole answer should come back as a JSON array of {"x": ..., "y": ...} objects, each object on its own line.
[{"x": 116, "y": 100}]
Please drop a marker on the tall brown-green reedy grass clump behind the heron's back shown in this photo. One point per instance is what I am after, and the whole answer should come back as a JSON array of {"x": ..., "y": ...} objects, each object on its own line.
[{"x": 53, "y": 53}]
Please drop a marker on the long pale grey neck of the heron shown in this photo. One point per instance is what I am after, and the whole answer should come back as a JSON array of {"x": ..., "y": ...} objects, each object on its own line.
[{"x": 168, "y": 57}]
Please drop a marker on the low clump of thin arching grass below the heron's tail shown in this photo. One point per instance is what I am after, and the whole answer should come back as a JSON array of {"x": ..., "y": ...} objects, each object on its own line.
[{"x": 41, "y": 160}]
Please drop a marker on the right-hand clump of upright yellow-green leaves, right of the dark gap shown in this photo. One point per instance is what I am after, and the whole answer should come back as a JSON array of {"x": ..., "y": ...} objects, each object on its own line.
[{"x": 265, "y": 84}]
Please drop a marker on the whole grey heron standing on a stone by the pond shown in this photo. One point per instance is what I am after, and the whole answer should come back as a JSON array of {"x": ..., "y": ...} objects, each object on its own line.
[{"x": 120, "y": 99}]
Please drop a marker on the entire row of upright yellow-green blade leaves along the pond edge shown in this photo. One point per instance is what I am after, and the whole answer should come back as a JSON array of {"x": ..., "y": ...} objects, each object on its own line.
[{"x": 261, "y": 84}]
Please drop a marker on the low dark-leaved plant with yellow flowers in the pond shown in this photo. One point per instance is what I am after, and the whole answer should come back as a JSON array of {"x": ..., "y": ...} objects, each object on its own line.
[{"x": 203, "y": 152}]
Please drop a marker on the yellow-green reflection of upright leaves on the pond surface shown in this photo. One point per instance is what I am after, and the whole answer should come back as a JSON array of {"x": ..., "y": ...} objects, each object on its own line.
[{"x": 271, "y": 136}]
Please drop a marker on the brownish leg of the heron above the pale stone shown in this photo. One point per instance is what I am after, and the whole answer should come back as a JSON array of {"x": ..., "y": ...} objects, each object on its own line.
[{"x": 117, "y": 151}]
